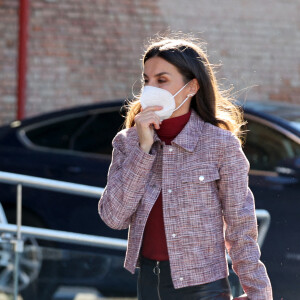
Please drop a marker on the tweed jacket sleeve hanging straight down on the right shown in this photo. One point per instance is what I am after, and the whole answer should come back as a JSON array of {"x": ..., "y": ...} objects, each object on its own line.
[{"x": 240, "y": 222}]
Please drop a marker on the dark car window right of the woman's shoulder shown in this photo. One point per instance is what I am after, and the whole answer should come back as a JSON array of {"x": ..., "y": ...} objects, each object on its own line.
[{"x": 266, "y": 148}]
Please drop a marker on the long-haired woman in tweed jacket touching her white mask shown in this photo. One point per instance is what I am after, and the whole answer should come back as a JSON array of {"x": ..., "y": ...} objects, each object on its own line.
[{"x": 179, "y": 181}]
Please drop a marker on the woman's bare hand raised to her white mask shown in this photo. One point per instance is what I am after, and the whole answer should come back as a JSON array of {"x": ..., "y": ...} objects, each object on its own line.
[{"x": 145, "y": 120}]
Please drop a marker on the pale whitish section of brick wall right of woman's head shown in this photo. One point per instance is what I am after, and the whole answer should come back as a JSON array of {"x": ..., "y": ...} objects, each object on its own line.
[{"x": 258, "y": 43}]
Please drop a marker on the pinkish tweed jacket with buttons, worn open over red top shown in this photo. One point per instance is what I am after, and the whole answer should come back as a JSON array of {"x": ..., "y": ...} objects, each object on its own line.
[{"x": 207, "y": 204}]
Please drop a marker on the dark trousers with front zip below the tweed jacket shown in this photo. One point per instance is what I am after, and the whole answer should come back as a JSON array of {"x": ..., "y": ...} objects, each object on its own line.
[{"x": 155, "y": 283}]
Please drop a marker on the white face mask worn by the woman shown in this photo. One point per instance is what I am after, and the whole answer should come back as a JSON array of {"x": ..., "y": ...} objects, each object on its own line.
[{"x": 156, "y": 96}]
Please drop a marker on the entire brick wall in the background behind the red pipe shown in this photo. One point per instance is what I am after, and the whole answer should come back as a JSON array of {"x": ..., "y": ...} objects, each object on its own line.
[{"x": 87, "y": 51}]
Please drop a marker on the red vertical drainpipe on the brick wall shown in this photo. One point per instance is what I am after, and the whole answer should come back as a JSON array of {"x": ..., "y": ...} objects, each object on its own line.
[{"x": 22, "y": 57}]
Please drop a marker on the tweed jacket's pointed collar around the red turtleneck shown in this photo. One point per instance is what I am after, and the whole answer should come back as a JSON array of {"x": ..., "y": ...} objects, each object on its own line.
[{"x": 189, "y": 135}]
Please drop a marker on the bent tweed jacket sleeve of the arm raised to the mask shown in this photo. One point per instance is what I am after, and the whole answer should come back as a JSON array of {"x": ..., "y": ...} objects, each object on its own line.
[{"x": 126, "y": 180}]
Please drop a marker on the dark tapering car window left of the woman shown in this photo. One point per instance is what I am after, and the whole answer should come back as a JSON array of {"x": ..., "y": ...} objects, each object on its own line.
[{"x": 89, "y": 133}]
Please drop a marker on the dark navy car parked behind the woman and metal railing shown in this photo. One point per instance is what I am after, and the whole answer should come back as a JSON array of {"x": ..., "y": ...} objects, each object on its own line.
[{"x": 74, "y": 145}]
